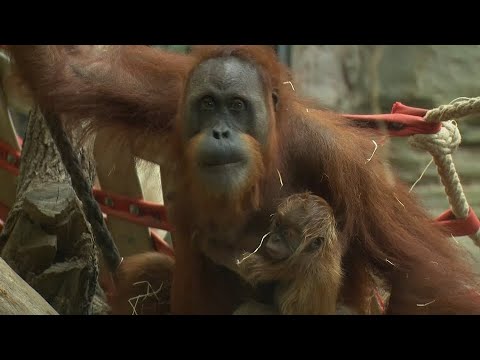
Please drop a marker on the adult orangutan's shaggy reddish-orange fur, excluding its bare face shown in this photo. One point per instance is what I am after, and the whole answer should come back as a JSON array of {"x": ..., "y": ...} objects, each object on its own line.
[{"x": 136, "y": 89}]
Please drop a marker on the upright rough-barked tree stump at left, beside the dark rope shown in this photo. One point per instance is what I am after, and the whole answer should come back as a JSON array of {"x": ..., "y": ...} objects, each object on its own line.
[{"x": 47, "y": 239}]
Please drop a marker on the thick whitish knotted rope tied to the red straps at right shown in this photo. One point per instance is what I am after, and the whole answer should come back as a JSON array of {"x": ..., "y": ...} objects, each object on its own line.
[{"x": 442, "y": 145}]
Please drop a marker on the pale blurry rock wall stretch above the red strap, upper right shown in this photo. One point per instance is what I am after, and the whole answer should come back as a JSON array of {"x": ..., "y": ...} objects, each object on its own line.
[{"x": 357, "y": 77}]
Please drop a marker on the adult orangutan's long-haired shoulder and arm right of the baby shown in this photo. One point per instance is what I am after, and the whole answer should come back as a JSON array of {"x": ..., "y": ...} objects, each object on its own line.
[{"x": 386, "y": 223}]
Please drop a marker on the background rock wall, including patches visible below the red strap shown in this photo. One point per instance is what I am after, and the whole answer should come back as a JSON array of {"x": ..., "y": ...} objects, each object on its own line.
[{"x": 369, "y": 79}]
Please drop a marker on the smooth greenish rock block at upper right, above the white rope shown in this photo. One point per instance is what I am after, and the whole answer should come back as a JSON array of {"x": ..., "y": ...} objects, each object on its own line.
[{"x": 428, "y": 75}]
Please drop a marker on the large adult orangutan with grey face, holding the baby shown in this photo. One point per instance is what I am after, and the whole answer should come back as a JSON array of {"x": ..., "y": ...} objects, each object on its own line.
[{"x": 239, "y": 138}]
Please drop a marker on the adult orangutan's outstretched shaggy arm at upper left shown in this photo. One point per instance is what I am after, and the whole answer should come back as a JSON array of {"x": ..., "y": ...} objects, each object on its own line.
[{"x": 114, "y": 87}]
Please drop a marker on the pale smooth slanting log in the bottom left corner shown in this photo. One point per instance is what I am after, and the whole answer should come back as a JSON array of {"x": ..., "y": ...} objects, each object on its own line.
[{"x": 19, "y": 298}]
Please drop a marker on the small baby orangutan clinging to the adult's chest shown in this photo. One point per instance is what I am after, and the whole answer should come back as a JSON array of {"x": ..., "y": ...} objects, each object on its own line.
[{"x": 302, "y": 254}]
